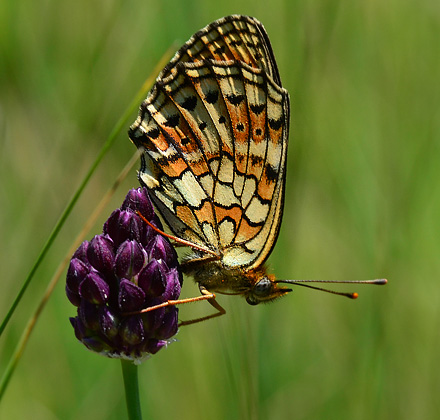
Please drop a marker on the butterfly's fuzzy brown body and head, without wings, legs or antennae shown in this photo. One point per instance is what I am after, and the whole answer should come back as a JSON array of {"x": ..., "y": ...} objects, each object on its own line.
[{"x": 255, "y": 284}]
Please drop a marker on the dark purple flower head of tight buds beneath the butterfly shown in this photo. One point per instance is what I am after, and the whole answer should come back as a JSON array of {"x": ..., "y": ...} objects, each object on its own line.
[{"x": 117, "y": 275}]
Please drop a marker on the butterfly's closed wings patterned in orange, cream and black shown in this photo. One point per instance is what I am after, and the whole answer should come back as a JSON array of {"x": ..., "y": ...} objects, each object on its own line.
[{"x": 214, "y": 133}]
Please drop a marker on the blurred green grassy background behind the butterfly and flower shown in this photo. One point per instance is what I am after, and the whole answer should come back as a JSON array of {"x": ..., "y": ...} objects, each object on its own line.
[{"x": 362, "y": 201}]
